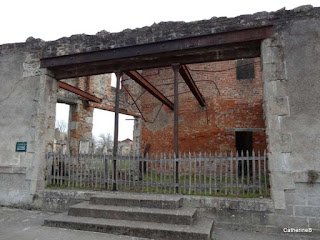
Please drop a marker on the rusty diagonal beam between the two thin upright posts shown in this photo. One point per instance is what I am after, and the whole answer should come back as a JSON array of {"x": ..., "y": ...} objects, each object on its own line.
[{"x": 134, "y": 75}]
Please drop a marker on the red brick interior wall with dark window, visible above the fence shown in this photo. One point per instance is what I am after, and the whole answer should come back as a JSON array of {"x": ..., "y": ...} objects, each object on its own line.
[{"x": 230, "y": 104}]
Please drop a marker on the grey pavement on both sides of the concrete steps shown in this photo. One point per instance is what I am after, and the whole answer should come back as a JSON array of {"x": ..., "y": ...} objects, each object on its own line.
[{"x": 18, "y": 224}]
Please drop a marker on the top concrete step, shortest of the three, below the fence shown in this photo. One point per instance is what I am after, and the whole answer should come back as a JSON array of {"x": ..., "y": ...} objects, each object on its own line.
[{"x": 138, "y": 200}]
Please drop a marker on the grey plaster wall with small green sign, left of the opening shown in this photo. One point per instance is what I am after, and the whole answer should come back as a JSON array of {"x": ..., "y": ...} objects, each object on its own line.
[{"x": 27, "y": 109}]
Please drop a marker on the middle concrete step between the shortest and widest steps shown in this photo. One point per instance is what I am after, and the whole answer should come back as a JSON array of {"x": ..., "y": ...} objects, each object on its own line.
[{"x": 182, "y": 216}]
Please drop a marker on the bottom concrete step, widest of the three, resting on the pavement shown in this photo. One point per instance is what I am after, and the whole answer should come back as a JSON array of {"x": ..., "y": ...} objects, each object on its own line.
[{"x": 201, "y": 229}]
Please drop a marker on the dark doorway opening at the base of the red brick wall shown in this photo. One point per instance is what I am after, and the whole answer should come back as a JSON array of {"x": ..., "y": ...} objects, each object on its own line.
[{"x": 244, "y": 148}]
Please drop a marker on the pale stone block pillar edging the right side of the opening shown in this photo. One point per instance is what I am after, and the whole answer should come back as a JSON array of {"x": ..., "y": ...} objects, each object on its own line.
[{"x": 276, "y": 108}]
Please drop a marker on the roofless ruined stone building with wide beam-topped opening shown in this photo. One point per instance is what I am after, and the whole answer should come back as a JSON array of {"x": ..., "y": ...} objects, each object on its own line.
[{"x": 249, "y": 82}]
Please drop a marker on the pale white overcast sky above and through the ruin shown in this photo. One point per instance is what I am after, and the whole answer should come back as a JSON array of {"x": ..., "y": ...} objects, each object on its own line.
[{"x": 50, "y": 20}]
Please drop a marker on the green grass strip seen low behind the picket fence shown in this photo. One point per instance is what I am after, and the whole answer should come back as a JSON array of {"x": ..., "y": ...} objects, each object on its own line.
[{"x": 166, "y": 186}]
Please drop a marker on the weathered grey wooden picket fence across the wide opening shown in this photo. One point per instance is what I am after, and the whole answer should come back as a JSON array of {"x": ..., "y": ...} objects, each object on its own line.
[{"x": 219, "y": 174}]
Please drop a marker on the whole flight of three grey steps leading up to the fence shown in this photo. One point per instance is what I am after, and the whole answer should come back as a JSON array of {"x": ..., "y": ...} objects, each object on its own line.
[{"x": 138, "y": 215}]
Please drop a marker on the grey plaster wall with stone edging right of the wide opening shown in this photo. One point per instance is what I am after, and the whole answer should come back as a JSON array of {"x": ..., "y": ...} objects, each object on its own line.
[{"x": 291, "y": 60}]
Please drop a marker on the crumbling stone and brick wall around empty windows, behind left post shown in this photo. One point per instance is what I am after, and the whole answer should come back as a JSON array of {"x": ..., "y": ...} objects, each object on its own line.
[{"x": 81, "y": 110}]
